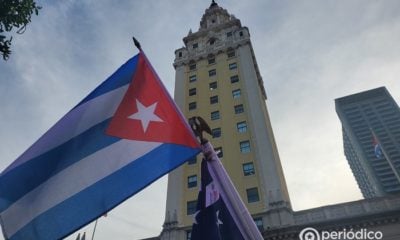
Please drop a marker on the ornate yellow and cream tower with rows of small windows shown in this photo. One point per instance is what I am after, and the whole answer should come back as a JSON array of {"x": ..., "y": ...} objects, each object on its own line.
[{"x": 217, "y": 78}]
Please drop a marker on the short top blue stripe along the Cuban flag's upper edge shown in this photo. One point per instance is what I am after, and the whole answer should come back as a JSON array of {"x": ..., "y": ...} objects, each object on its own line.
[{"x": 121, "y": 77}]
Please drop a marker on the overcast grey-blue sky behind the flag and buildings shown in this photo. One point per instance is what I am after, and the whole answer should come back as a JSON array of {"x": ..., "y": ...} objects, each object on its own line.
[{"x": 308, "y": 52}]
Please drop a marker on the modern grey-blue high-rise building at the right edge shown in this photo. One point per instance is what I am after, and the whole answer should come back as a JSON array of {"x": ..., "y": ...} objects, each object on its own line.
[{"x": 364, "y": 115}]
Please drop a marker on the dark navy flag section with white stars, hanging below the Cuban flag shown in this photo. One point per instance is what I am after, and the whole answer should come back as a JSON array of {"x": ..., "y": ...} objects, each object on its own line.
[{"x": 212, "y": 220}]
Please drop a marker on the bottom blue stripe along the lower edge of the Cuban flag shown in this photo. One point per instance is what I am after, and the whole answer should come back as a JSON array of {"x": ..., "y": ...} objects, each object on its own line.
[{"x": 103, "y": 195}]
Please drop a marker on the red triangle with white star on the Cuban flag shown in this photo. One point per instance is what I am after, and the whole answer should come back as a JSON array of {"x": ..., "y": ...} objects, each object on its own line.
[{"x": 147, "y": 112}]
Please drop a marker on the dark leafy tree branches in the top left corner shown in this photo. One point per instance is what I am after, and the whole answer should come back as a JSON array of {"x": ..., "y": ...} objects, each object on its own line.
[{"x": 14, "y": 14}]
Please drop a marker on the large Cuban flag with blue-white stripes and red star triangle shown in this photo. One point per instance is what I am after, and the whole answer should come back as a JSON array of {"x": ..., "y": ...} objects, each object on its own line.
[{"x": 123, "y": 136}]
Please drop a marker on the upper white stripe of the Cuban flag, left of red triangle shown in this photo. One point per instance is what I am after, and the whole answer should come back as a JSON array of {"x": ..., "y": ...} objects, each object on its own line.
[{"x": 74, "y": 123}]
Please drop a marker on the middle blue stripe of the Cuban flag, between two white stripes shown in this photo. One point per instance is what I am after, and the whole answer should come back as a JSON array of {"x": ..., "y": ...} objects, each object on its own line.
[{"x": 41, "y": 168}]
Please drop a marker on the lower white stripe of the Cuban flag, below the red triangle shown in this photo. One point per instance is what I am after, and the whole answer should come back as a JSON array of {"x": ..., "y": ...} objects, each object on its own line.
[{"x": 59, "y": 188}]
